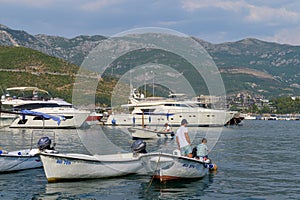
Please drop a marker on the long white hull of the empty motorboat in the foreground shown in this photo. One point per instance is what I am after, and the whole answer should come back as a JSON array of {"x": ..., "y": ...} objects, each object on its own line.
[{"x": 61, "y": 167}]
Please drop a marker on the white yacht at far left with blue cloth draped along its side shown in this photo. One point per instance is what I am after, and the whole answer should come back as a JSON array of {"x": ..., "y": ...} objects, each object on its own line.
[{"x": 38, "y": 100}]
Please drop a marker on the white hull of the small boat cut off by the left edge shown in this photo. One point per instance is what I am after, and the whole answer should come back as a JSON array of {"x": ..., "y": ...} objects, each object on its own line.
[{"x": 18, "y": 160}]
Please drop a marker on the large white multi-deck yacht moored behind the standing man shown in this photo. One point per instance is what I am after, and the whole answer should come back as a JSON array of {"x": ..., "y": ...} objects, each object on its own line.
[{"x": 157, "y": 111}]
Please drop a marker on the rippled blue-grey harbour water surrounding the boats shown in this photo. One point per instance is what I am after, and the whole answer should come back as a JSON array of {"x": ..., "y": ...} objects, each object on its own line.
[{"x": 259, "y": 160}]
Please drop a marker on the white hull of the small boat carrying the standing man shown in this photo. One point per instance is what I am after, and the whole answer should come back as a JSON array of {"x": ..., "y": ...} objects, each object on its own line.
[{"x": 166, "y": 167}]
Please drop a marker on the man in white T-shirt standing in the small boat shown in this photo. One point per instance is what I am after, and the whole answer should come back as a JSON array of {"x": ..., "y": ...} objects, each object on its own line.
[{"x": 183, "y": 139}]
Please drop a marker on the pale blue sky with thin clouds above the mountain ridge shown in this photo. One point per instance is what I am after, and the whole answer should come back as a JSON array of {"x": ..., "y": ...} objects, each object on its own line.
[{"x": 215, "y": 21}]
